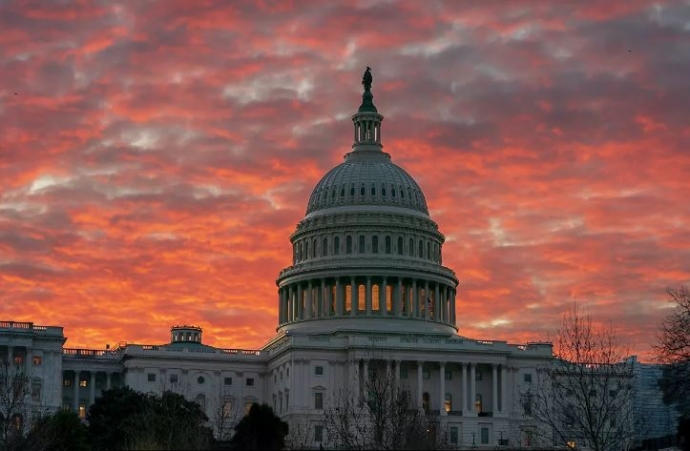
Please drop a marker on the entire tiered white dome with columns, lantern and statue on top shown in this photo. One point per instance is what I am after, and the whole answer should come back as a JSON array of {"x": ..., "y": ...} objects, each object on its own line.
[{"x": 367, "y": 256}]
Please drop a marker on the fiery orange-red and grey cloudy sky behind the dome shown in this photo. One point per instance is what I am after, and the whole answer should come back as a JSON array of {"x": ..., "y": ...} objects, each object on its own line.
[{"x": 156, "y": 156}]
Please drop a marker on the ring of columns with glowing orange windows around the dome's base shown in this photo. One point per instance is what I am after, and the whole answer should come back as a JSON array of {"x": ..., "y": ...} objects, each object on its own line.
[{"x": 371, "y": 296}]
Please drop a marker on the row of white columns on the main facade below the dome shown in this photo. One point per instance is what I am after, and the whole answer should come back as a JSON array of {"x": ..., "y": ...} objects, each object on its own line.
[{"x": 468, "y": 399}]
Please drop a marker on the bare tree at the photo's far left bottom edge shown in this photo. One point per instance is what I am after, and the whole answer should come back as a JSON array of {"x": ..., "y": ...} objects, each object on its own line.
[{"x": 14, "y": 389}]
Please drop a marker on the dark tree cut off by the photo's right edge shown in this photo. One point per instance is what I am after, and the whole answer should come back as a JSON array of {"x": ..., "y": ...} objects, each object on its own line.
[{"x": 673, "y": 349}]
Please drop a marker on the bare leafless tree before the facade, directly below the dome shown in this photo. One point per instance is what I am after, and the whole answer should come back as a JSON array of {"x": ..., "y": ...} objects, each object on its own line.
[{"x": 384, "y": 417}]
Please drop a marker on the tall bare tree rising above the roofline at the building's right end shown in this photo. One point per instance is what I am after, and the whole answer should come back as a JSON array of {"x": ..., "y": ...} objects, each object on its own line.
[{"x": 583, "y": 397}]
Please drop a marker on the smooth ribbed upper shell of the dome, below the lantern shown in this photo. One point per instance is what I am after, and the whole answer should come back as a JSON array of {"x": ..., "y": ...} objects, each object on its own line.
[{"x": 367, "y": 178}]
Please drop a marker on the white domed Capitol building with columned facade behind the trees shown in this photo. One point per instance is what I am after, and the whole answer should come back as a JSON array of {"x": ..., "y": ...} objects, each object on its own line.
[{"x": 366, "y": 294}]
